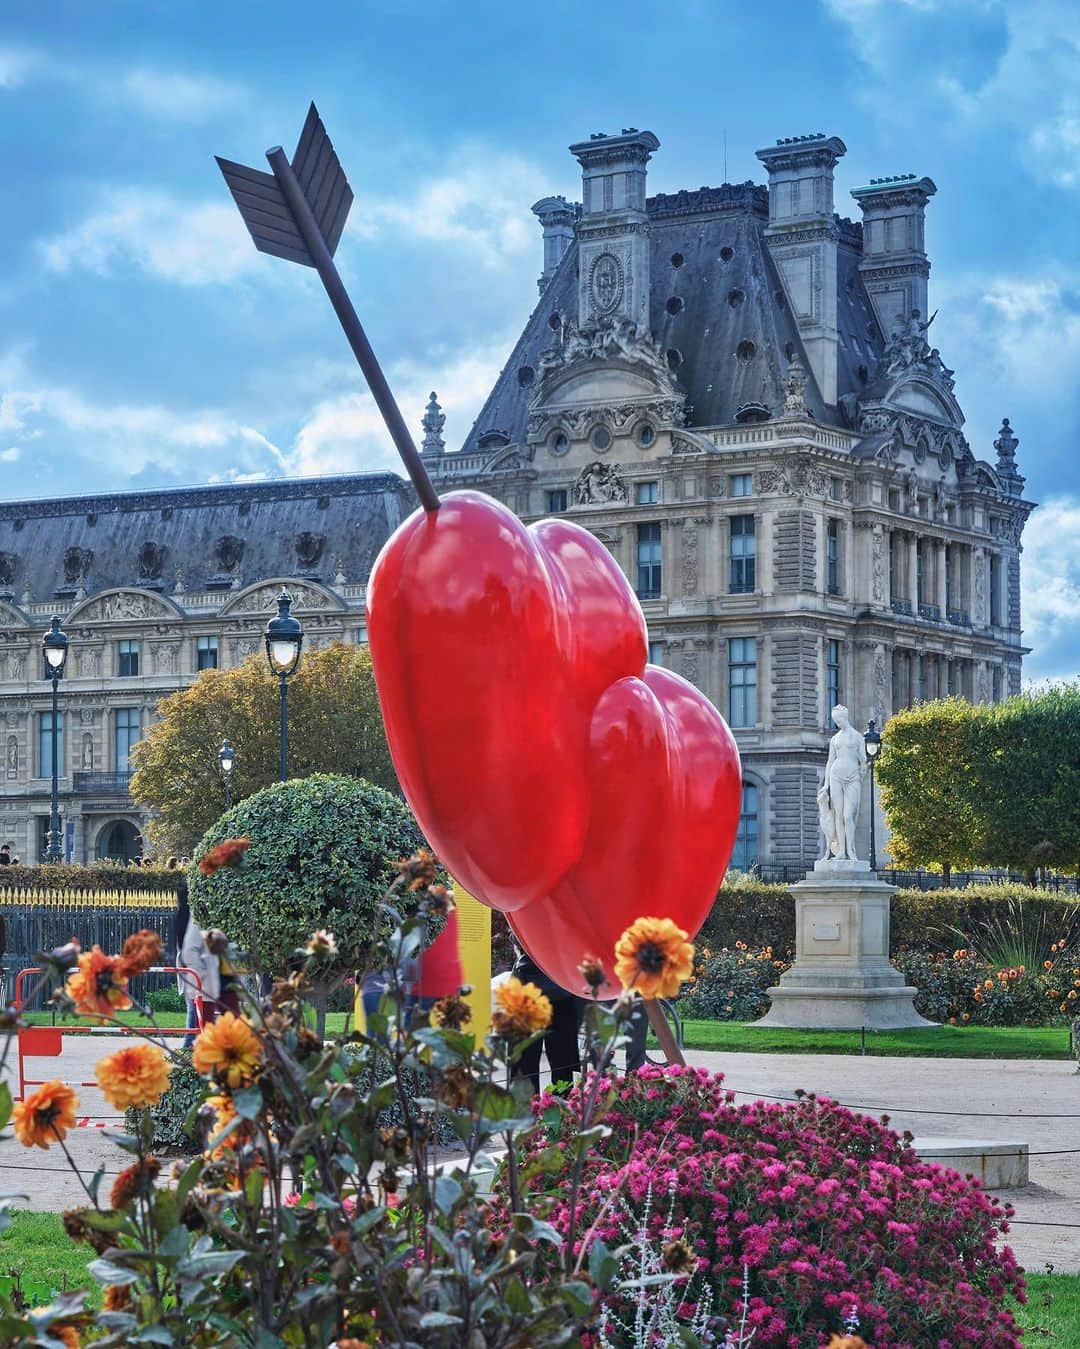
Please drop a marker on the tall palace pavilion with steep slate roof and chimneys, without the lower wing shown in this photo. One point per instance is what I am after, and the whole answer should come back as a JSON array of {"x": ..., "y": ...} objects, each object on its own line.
[{"x": 776, "y": 458}]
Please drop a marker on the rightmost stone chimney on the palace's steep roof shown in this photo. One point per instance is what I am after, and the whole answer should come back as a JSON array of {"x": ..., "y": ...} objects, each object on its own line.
[{"x": 895, "y": 266}]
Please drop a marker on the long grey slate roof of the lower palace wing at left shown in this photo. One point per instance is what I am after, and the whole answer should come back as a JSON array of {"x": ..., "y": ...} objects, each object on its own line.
[{"x": 216, "y": 538}]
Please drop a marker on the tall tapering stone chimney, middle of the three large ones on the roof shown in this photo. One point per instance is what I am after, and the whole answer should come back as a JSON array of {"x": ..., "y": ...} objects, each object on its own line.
[{"x": 802, "y": 237}]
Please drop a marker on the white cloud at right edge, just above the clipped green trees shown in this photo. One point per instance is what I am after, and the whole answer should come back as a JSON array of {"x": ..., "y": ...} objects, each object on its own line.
[{"x": 1051, "y": 581}]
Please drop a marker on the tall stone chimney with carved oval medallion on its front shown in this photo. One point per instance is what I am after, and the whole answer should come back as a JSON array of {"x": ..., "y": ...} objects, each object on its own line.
[{"x": 613, "y": 231}]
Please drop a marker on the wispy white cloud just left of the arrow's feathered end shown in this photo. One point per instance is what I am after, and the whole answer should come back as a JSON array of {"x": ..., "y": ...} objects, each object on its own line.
[{"x": 189, "y": 243}]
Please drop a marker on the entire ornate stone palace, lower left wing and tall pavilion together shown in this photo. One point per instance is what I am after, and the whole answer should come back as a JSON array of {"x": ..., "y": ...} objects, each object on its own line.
[{"x": 734, "y": 388}]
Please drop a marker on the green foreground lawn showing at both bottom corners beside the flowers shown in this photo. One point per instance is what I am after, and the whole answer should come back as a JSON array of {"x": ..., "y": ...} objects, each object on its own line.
[{"x": 49, "y": 1262}]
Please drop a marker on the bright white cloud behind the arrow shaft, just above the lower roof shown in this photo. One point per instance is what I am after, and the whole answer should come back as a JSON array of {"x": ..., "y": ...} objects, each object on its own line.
[{"x": 347, "y": 434}]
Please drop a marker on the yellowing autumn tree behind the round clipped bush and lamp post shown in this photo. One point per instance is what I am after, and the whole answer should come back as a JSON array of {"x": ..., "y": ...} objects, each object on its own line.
[{"x": 335, "y": 726}]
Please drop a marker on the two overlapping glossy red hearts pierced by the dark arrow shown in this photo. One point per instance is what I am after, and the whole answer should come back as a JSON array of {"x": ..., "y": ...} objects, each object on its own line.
[{"x": 558, "y": 776}]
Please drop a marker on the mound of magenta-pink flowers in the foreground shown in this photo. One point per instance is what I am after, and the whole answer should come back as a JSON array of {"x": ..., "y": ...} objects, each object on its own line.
[{"x": 830, "y": 1212}]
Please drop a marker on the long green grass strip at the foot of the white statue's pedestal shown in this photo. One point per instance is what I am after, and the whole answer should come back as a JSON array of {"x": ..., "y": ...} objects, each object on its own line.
[{"x": 947, "y": 1042}]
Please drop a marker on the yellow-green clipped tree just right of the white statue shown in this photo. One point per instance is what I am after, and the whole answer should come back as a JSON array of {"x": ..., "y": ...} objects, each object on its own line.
[{"x": 930, "y": 784}]
